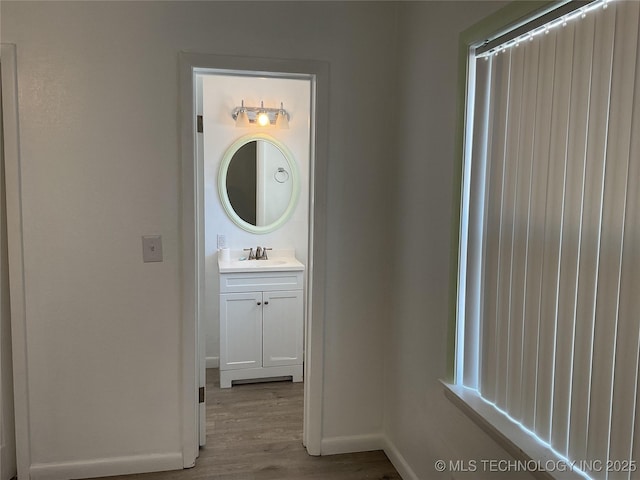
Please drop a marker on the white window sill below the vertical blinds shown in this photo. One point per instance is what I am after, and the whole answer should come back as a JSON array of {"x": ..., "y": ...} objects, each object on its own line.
[{"x": 532, "y": 456}]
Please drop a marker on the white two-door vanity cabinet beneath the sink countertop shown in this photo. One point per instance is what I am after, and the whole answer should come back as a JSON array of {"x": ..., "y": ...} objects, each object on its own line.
[{"x": 261, "y": 325}]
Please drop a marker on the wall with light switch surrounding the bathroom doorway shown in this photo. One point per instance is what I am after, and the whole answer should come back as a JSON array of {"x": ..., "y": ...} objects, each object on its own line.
[{"x": 98, "y": 106}]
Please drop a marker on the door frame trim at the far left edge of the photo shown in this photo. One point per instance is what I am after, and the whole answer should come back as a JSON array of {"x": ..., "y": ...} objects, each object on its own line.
[{"x": 16, "y": 263}]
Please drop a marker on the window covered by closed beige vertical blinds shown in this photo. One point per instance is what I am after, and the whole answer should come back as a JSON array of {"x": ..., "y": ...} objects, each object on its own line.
[{"x": 549, "y": 270}]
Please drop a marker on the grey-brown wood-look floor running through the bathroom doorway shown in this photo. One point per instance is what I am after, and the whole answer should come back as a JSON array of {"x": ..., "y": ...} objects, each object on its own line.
[{"x": 254, "y": 432}]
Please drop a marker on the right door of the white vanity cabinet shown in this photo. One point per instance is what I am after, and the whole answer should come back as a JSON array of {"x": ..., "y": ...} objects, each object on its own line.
[{"x": 282, "y": 323}]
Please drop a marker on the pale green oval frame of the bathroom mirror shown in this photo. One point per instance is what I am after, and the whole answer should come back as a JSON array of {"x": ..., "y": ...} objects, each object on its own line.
[{"x": 222, "y": 183}]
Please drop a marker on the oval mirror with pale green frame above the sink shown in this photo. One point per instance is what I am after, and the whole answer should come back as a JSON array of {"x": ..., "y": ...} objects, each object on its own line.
[{"x": 258, "y": 183}]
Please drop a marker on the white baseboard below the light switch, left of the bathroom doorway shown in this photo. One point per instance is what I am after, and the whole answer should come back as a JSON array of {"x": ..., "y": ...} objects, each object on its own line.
[{"x": 106, "y": 467}]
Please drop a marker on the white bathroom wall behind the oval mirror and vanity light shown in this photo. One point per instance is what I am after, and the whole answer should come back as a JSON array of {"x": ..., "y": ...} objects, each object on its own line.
[{"x": 221, "y": 94}]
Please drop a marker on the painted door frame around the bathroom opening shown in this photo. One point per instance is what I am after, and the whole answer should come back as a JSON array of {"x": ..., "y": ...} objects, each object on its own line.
[{"x": 190, "y": 63}]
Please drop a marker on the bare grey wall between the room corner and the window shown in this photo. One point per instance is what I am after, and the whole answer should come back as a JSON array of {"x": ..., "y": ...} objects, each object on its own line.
[{"x": 421, "y": 424}]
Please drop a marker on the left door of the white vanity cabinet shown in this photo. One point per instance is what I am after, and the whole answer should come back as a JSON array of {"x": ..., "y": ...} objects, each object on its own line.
[{"x": 240, "y": 330}]
